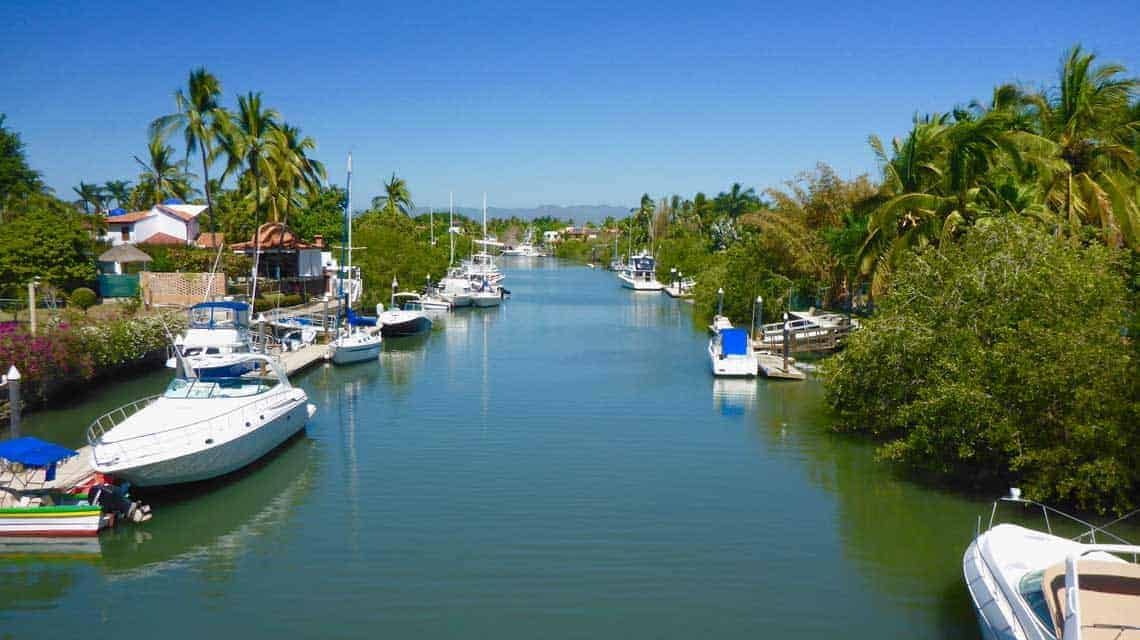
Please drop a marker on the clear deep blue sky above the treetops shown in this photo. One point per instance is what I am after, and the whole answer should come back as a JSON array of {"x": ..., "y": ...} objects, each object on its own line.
[{"x": 561, "y": 104}]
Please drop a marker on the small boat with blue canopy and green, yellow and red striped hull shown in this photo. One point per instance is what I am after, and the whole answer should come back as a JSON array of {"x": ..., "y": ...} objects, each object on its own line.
[{"x": 31, "y": 505}]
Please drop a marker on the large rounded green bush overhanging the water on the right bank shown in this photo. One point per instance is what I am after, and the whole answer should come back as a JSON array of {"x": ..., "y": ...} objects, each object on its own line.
[{"x": 1001, "y": 361}]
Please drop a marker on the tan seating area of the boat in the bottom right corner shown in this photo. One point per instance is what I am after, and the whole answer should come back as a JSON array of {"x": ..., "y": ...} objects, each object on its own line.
[{"x": 1110, "y": 598}]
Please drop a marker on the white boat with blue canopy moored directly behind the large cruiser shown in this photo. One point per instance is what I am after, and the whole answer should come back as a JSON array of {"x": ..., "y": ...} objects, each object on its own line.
[{"x": 216, "y": 338}]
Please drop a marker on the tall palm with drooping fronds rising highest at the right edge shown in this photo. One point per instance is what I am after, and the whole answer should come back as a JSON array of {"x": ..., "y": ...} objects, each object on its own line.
[{"x": 1092, "y": 121}]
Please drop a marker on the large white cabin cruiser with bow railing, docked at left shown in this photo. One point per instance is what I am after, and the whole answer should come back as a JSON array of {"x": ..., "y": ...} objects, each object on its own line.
[{"x": 200, "y": 428}]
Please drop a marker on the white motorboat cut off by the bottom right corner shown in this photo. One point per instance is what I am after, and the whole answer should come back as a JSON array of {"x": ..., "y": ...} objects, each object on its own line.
[{"x": 1030, "y": 585}]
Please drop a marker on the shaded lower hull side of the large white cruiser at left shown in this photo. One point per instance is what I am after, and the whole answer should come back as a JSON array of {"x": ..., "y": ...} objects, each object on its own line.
[{"x": 224, "y": 458}]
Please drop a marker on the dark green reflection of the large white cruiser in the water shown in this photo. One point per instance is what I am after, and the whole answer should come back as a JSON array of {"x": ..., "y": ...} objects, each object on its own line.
[{"x": 216, "y": 522}]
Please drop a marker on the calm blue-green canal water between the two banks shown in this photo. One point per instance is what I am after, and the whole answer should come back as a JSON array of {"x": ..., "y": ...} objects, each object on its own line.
[{"x": 561, "y": 467}]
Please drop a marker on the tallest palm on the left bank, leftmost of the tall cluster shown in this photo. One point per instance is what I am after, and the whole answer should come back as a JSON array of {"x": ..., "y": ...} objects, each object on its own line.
[{"x": 198, "y": 117}]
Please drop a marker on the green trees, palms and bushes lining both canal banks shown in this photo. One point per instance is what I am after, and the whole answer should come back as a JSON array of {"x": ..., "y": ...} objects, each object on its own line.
[{"x": 998, "y": 249}]
